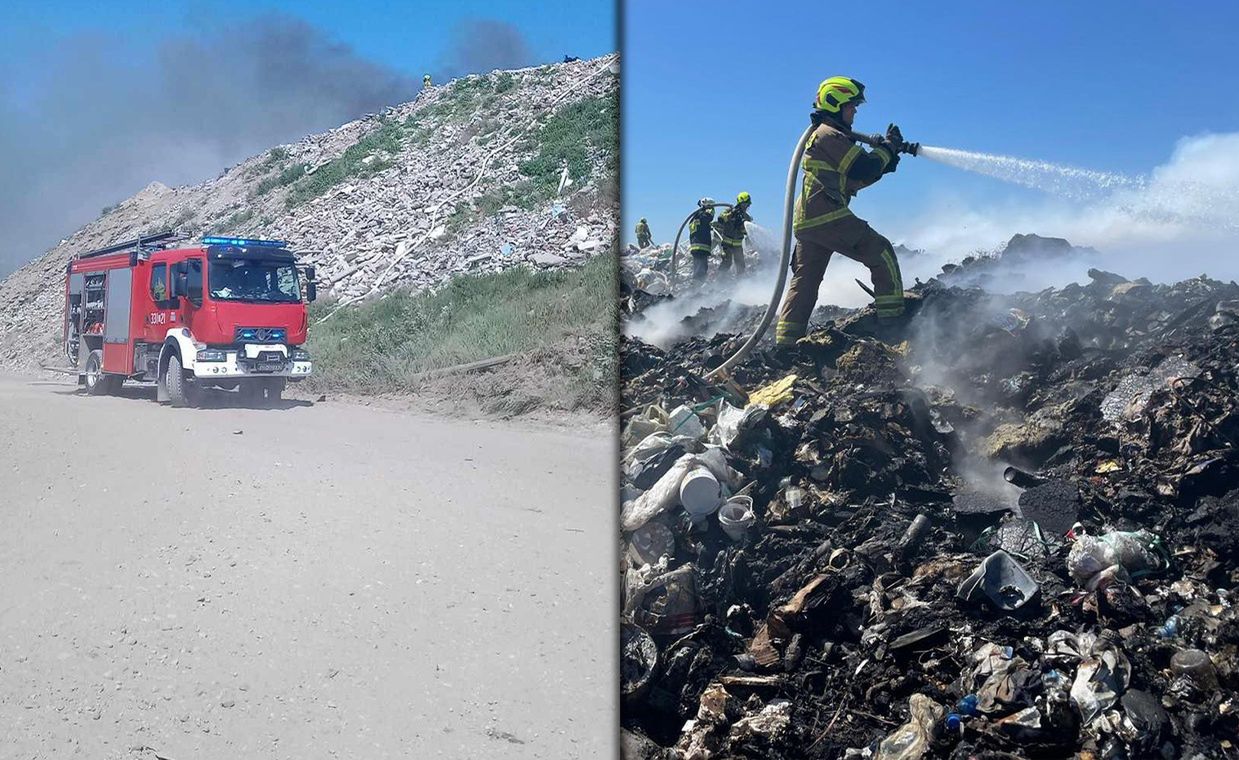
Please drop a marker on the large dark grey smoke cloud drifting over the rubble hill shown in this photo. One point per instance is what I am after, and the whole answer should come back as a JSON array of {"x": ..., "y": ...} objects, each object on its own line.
[{"x": 97, "y": 127}]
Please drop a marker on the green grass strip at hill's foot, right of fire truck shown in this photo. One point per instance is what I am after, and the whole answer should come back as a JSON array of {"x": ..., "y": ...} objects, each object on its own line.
[{"x": 381, "y": 347}]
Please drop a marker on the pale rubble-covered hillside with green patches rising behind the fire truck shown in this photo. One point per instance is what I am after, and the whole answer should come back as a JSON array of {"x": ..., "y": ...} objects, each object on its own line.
[{"x": 479, "y": 175}]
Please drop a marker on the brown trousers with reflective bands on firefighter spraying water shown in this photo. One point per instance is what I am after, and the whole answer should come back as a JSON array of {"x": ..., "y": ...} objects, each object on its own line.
[{"x": 815, "y": 246}]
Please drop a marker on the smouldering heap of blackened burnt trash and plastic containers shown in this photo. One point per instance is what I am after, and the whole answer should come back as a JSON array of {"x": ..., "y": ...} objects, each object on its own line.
[{"x": 1008, "y": 528}]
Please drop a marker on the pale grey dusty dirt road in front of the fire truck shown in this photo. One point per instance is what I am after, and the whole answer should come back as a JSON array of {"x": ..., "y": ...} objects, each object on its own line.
[{"x": 320, "y": 581}]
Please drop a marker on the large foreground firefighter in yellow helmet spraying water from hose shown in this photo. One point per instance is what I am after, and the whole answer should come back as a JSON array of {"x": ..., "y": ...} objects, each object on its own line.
[{"x": 834, "y": 170}]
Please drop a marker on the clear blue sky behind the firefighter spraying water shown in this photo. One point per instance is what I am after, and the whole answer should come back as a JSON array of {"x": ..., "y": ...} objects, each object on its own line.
[{"x": 714, "y": 99}]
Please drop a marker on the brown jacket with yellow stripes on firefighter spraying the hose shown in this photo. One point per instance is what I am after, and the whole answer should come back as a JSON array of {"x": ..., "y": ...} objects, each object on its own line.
[{"x": 836, "y": 169}]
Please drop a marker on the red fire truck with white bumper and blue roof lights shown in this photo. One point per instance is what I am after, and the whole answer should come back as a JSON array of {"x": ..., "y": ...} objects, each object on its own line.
[{"x": 226, "y": 313}]
